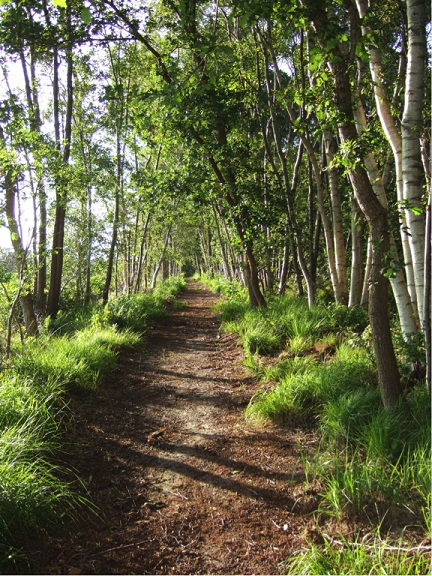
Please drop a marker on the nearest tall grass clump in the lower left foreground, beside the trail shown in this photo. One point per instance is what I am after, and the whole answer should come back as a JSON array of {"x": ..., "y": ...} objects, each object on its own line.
[{"x": 31, "y": 491}]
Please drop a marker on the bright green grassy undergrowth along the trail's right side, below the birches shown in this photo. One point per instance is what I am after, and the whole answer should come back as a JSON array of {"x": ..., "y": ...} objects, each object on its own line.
[{"x": 372, "y": 465}]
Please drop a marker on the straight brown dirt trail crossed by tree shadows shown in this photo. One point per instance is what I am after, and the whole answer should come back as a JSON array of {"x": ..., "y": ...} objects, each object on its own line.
[{"x": 210, "y": 496}]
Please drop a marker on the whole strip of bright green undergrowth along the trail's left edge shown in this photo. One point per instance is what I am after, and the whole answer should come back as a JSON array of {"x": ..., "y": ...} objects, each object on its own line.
[{"x": 73, "y": 354}]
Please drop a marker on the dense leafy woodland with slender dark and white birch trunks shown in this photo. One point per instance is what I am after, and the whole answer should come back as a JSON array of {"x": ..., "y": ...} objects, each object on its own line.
[{"x": 283, "y": 145}]
